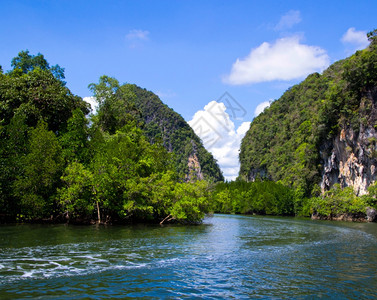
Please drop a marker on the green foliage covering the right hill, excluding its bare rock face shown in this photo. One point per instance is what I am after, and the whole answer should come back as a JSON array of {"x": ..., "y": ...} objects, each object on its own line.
[{"x": 284, "y": 142}]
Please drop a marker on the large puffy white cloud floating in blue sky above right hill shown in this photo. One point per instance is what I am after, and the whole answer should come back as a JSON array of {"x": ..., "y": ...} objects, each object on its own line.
[{"x": 286, "y": 59}]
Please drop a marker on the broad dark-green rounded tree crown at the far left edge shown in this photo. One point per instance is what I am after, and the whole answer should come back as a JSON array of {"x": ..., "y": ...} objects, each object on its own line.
[{"x": 37, "y": 94}]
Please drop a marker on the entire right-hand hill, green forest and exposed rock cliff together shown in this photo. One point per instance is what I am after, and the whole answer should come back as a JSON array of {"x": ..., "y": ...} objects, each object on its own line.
[{"x": 321, "y": 132}]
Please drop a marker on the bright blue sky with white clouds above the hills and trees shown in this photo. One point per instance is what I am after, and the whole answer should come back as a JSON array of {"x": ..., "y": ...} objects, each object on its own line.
[{"x": 190, "y": 52}]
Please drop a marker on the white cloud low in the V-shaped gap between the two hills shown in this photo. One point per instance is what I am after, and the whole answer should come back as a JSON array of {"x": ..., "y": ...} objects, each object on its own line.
[{"x": 217, "y": 131}]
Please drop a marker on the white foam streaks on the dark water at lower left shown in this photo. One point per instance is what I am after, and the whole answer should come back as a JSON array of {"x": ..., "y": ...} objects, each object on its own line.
[{"x": 66, "y": 260}]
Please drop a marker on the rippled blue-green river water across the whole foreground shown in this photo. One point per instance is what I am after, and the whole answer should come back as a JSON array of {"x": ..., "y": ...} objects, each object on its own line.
[{"x": 226, "y": 257}]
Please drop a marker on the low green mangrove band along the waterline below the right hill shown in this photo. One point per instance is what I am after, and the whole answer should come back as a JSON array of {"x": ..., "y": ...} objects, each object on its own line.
[{"x": 274, "y": 198}]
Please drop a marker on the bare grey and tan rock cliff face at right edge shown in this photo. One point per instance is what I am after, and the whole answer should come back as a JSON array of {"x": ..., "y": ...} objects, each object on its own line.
[{"x": 350, "y": 158}]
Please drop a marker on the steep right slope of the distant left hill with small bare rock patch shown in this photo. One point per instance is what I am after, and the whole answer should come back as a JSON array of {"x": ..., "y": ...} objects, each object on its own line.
[{"x": 162, "y": 122}]
